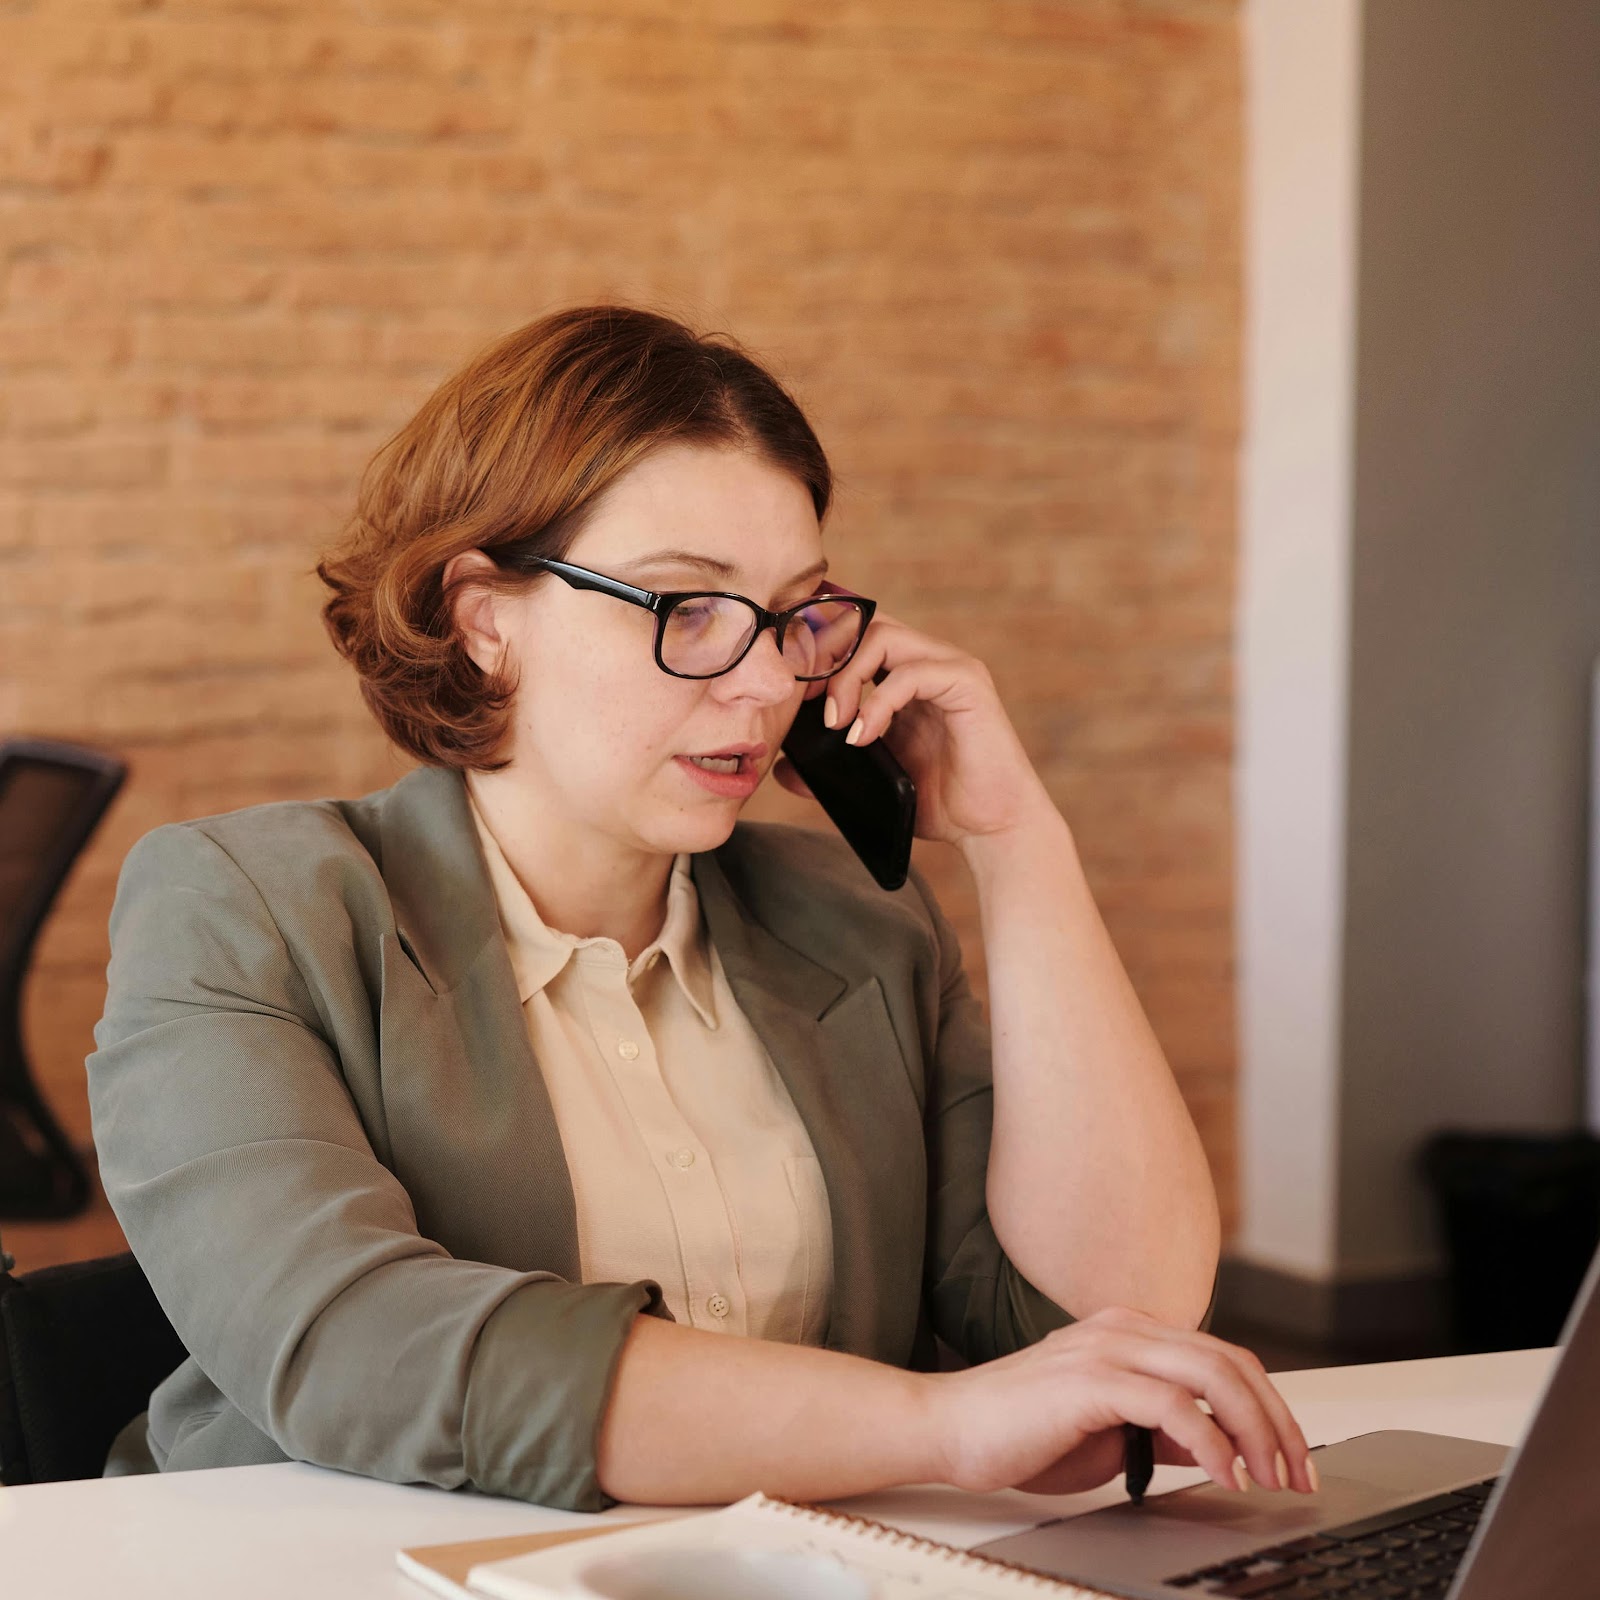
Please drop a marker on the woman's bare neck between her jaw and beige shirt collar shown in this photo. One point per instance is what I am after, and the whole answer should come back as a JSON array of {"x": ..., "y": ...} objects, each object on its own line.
[{"x": 580, "y": 882}]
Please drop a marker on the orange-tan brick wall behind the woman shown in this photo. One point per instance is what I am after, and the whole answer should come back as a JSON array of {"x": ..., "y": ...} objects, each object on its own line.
[{"x": 994, "y": 246}]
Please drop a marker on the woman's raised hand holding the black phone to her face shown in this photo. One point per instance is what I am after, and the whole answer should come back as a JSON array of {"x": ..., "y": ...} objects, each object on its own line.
[{"x": 938, "y": 713}]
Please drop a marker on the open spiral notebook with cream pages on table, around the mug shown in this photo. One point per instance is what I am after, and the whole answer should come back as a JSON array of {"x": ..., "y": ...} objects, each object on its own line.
[{"x": 902, "y": 1566}]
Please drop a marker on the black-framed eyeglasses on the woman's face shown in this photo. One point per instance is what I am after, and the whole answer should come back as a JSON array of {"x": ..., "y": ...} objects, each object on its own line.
[{"x": 705, "y": 634}]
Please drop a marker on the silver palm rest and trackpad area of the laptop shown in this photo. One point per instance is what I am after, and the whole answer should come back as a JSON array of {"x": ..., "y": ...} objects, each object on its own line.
[{"x": 1134, "y": 1546}]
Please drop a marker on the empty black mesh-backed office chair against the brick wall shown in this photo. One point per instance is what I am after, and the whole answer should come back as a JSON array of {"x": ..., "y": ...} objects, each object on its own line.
[{"x": 52, "y": 799}]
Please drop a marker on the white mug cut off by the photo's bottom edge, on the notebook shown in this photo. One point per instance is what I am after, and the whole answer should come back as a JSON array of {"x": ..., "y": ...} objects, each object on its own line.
[{"x": 718, "y": 1575}]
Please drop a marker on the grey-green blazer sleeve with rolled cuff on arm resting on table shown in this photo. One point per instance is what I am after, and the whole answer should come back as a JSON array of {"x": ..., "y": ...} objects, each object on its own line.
[{"x": 284, "y": 1252}]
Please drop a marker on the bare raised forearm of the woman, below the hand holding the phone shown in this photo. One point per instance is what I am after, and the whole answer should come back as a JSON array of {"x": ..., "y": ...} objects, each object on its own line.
[{"x": 1098, "y": 1186}]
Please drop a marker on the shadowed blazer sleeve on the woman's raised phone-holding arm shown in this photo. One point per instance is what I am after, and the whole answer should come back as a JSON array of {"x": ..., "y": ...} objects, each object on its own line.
[{"x": 977, "y": 1300}]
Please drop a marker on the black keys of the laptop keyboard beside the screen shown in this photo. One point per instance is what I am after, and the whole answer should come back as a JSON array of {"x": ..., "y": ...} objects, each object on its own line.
[{"x": 1406, "y": 1554}]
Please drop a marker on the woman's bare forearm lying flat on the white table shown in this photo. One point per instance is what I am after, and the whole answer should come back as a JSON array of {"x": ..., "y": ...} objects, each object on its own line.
[{"x": 705, "y": 1418}]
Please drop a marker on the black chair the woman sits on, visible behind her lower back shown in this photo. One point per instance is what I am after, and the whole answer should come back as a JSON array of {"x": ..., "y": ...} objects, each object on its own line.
[{"x": 81, "y": 1350}]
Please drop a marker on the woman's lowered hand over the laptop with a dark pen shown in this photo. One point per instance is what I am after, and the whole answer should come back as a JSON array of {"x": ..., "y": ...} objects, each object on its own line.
[{"x": 1049, "y": 1420}]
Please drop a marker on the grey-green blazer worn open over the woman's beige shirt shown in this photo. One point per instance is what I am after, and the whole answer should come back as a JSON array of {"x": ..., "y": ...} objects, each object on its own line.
[{"x": 327, "y": 1140}]
